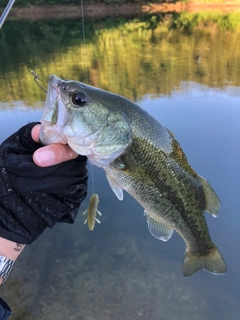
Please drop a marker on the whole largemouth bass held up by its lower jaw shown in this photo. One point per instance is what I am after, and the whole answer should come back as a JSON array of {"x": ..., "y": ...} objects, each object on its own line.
[{"x": 140, "y": 156}]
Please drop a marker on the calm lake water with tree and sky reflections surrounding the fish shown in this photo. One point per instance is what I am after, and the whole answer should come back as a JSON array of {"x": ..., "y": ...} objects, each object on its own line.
[{"x": 184, "y": 70}]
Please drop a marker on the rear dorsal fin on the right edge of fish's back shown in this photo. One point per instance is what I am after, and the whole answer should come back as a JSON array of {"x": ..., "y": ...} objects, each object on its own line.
[{"x": 212, "y": 200}]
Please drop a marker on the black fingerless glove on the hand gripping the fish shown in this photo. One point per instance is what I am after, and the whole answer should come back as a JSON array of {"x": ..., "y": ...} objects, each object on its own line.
[{"x": 31, "y": 197}]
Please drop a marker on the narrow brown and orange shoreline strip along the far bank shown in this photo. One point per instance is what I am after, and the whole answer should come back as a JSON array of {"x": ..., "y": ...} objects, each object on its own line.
[{"x": 101, "y": 10}]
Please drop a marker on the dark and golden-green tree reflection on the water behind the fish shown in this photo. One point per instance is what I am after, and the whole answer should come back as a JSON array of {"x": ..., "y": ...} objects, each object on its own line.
[{"x": 132, "y": 57}]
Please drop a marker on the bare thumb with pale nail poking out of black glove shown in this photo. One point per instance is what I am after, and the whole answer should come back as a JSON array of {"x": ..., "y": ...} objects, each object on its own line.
[{"x": 53, "y": 154}]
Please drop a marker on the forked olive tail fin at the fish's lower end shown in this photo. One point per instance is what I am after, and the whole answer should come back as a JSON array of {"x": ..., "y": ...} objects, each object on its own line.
[{"x": 211, "y": 261}]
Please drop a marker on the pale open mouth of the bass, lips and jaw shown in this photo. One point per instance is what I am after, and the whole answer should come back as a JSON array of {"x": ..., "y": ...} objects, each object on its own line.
[{"x": 55, "y": 115}]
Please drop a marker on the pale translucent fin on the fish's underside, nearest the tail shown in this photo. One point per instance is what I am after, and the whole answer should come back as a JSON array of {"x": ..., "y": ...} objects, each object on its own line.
[{"x": 158, "y": 229}]
